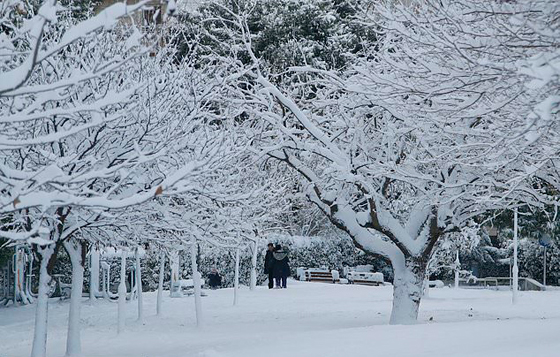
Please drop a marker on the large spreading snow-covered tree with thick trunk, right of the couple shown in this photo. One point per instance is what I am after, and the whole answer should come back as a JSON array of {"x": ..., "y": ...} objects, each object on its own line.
[{"x": 422, "y": 134}]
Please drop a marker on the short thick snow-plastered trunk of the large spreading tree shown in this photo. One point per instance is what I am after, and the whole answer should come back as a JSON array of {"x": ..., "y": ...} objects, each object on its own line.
[{"x": 407, "y": 291}]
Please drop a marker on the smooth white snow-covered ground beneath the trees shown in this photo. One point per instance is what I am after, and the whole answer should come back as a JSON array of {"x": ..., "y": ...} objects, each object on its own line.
[{"x": 307, "y": 319}]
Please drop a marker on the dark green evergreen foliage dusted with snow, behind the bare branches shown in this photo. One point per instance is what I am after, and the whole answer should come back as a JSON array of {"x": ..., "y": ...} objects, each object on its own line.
[{"x": 289, "y": 33}]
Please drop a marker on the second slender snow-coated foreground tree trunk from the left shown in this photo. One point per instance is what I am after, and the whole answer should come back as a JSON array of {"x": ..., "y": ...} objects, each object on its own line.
[{"x": 73, "y": 341}]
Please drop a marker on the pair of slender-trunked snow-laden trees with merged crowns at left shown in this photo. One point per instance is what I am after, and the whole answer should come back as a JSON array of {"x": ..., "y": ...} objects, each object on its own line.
[{"x": 109, "y": 138}]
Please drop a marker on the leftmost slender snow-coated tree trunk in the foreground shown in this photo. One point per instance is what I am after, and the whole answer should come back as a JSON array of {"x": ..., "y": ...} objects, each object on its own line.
[{"x": 39, "y": 348}]
